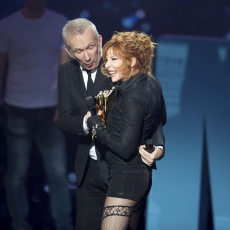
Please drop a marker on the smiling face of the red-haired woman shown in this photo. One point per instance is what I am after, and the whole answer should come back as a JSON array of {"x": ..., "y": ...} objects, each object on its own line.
[{"x": 112, "y": 64}]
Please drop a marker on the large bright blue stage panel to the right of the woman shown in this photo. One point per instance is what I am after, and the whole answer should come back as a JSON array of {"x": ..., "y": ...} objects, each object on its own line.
[{"x": 195, "y": 76}]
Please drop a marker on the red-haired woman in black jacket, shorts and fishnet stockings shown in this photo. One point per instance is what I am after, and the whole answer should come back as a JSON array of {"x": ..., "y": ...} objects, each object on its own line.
[{"x": 132, "y": 120}]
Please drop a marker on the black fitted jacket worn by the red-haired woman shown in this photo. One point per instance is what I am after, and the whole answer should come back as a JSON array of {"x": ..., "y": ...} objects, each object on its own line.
[{"x": 135, "y": 116}]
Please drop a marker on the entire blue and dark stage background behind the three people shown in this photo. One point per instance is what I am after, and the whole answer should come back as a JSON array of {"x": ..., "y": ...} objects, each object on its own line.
[{"x": 193, "y": 65}]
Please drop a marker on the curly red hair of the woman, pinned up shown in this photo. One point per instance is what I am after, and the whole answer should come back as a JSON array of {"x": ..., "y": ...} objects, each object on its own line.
[{"x": 126, "y": 45}]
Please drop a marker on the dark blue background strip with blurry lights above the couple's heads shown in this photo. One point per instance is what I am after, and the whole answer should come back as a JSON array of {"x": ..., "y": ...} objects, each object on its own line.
[{"x": 191, "y": 17}]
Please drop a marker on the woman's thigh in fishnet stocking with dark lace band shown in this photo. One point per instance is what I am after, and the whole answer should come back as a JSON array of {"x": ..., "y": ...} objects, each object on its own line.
[{"x": 117, "y": 213}]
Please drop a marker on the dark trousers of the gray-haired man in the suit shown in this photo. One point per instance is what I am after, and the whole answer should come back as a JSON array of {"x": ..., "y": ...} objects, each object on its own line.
[{"x": 90, "y": 199}]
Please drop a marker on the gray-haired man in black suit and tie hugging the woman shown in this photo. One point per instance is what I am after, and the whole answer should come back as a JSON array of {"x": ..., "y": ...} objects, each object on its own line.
[{"x": 84, "y": 44}]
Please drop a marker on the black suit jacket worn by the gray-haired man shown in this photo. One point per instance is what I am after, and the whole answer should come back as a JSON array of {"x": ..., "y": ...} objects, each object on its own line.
[{"x": 72, "y": 109}]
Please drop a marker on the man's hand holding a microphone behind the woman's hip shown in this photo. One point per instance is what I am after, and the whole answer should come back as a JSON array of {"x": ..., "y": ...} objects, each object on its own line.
[{"x": 150, "y": 158}]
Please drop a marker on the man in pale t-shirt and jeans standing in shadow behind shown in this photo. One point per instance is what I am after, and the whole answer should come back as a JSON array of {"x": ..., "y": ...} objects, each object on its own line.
[{"x": 31, "y": 44}]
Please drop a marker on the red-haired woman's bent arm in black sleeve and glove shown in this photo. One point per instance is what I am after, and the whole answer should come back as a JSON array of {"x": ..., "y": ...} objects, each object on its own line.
[{"x": 131, "y": 122}]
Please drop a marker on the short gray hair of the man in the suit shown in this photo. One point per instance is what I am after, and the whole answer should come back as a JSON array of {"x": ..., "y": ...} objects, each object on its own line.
[{"x": 77, "y": 26}]
